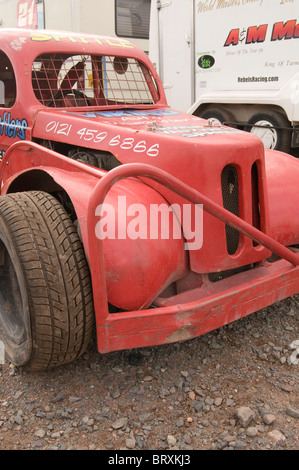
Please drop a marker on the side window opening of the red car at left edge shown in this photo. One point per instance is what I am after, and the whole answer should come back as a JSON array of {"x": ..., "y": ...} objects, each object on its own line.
[{"x": 8, "y": 89}]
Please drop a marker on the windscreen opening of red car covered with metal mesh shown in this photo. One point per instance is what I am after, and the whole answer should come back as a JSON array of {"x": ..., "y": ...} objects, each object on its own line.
[{"x": 82, "y": 80}]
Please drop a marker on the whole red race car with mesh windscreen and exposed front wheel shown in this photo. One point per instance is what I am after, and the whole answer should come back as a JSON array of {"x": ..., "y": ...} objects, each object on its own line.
[{"x": 121, "y": 214}]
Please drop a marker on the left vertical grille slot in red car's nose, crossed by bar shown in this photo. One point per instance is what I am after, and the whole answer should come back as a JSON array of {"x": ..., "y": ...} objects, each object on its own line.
[{"x": 230, "y": 195}]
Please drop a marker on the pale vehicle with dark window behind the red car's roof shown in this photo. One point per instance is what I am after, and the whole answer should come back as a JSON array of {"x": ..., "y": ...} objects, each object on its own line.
[{"x": 123, "y": 18}]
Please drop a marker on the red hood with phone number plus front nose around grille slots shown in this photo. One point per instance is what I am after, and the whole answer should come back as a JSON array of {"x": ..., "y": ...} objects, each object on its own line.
[{"x": 183, "y": 145}]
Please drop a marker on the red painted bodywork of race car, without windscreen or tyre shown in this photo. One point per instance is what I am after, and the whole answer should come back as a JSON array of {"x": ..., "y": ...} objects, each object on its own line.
[{"x": 165, "y": 156}]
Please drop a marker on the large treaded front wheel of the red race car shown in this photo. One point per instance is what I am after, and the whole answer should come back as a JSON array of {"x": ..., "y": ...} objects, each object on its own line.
[{"x": 46, "y": 307}]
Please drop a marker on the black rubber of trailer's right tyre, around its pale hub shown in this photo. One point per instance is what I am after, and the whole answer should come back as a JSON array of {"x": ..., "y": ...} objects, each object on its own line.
[{"x": 277, "y": 120}]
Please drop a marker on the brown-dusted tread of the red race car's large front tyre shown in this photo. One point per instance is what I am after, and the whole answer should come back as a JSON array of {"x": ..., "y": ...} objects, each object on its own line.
[{"x": 57, "y": 277}]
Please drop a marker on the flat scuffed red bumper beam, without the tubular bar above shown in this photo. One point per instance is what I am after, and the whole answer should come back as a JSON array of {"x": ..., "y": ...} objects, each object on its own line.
[{"x": 188, "y": 320}]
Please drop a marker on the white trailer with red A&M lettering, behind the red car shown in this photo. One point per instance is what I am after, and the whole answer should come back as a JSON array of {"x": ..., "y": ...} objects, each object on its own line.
[{"x": 232, "y": 61}]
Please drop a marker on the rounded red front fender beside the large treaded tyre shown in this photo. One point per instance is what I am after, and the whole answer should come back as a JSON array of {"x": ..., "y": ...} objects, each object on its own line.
[{"x": 137, "y": 270}]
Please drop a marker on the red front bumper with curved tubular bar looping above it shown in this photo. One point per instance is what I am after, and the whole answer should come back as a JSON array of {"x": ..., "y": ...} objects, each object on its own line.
[{"x": 197, "y": 311}]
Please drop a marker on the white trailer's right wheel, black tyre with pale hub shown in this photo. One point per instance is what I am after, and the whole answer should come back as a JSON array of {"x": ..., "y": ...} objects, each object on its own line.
[{"x": 274, "y": 133}]
